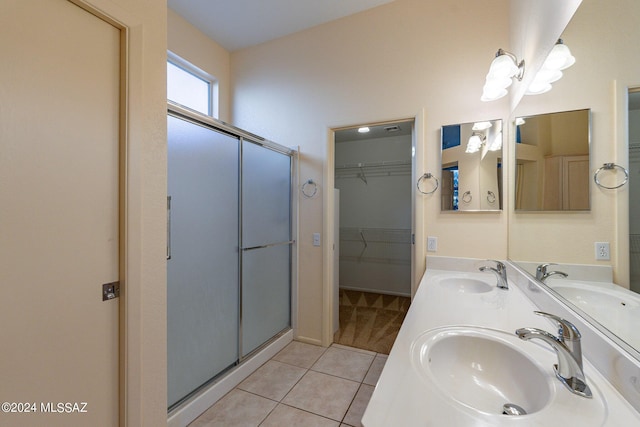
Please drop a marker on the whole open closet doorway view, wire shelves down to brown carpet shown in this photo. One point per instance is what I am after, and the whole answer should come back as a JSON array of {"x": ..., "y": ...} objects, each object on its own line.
[{"x": 373, "y": 185}]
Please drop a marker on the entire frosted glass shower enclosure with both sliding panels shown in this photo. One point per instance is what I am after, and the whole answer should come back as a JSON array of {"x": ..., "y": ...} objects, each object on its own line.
[{"x": 229, "y": 248}]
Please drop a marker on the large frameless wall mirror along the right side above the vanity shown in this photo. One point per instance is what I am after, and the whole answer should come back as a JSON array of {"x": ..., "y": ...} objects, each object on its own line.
[{"x": 568, "y": 238}]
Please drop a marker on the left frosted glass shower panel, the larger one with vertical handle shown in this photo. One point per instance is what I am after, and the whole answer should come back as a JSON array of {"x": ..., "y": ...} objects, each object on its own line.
[{"x": 203, "y": 269}]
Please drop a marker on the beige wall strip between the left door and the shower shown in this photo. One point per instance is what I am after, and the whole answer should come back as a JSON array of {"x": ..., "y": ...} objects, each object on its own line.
[{"x": 145, "y": 311}]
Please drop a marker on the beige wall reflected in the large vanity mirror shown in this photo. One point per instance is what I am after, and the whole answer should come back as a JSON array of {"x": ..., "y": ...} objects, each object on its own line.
[{"x": 603, "y": 36}]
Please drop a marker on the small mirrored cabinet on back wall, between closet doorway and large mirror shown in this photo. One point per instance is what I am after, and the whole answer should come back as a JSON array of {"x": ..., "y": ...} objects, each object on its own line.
[{"x": 472, "y": 166}]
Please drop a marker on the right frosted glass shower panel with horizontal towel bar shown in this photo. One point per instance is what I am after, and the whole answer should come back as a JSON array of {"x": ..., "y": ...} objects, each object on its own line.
[{"x": 266, "y": 243}]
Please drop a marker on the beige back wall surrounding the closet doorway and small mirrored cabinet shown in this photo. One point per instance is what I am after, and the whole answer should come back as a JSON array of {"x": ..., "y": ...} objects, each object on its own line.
[{"x": 391, "y": 62}]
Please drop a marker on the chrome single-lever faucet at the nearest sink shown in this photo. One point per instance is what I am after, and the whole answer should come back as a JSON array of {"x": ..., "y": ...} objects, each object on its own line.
[{"x": 567, "y": 346}]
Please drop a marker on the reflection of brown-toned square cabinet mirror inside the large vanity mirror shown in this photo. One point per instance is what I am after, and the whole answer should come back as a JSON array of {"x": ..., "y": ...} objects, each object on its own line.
[{"x": 552, "y": 161}]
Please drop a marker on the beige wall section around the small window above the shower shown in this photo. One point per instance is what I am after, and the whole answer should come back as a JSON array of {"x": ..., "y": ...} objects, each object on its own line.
[{"x": 192, "y": 45}]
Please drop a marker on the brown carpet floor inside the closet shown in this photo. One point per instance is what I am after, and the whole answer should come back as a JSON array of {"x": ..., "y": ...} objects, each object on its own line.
[{"x": 370, "y": 321}]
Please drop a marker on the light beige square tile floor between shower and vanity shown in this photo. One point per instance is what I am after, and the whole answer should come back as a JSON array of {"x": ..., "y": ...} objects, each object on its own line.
[{"x": 303, "y": 385}]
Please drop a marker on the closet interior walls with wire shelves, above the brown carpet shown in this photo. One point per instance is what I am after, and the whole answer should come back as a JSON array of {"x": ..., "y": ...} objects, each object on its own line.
[{"x": 373, "y": 176}]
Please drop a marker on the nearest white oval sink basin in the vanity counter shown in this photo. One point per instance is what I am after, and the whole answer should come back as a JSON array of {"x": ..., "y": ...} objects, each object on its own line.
[{"x": 482, "y": 369}]
